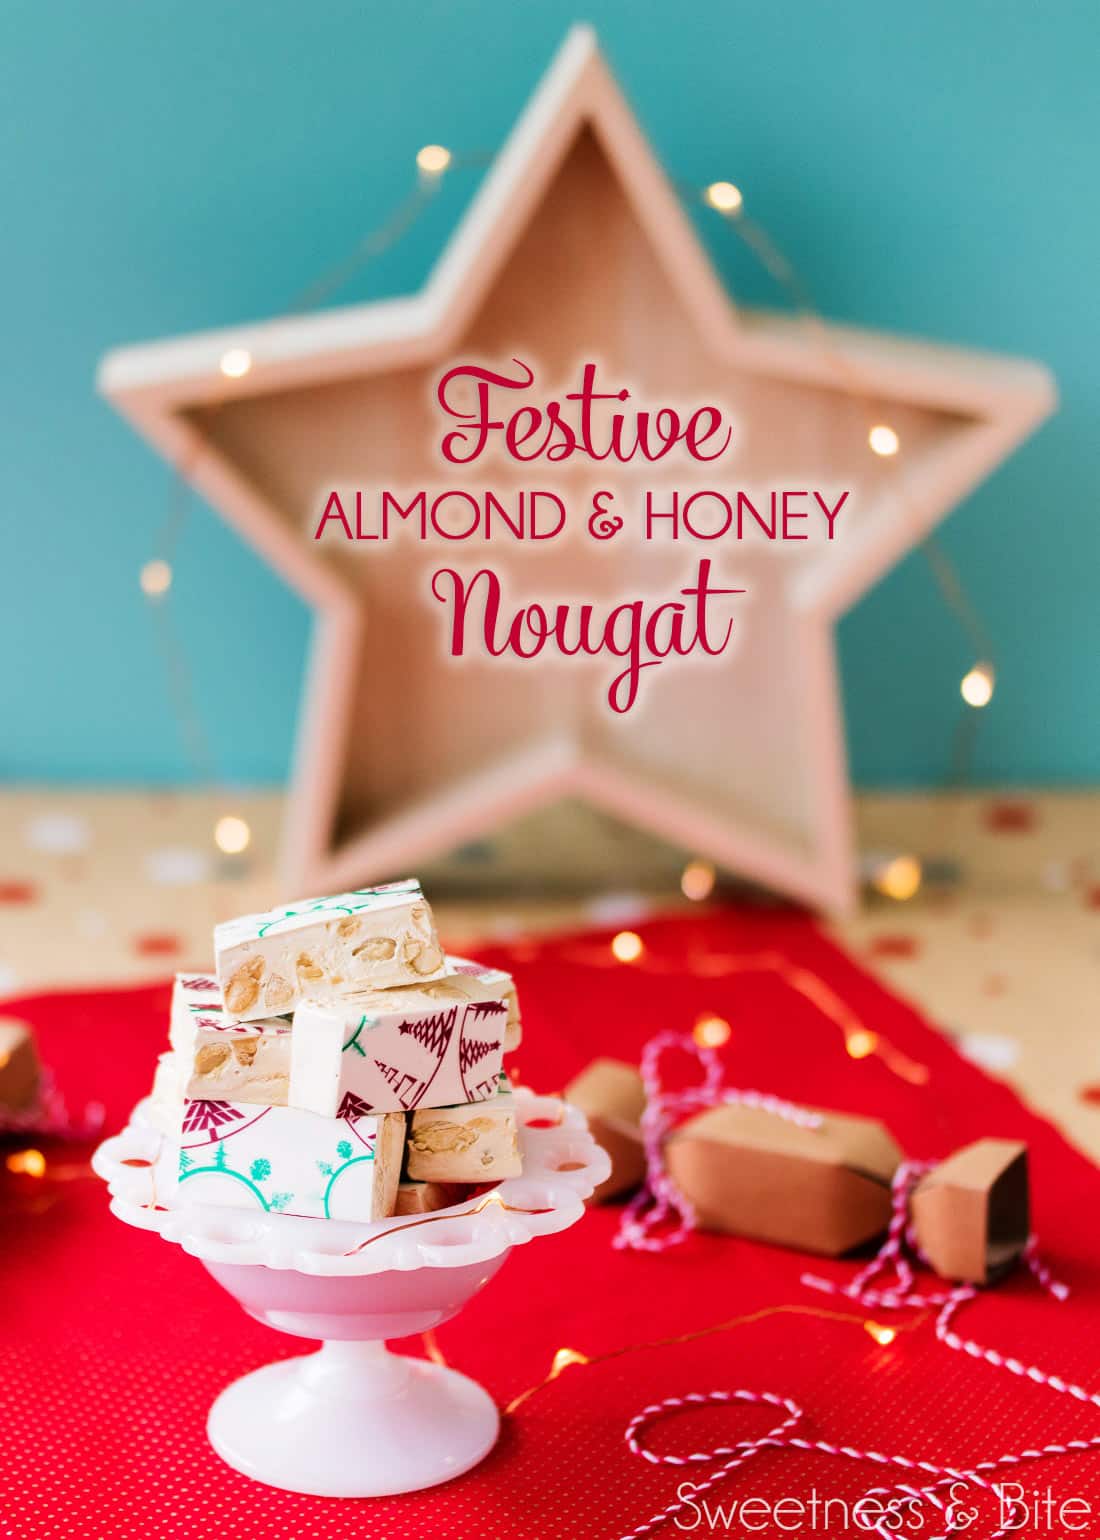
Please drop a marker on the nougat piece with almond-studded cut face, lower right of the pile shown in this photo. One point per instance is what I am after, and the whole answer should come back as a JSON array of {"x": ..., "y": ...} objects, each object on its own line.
[{"x": 468, "y": 1143}]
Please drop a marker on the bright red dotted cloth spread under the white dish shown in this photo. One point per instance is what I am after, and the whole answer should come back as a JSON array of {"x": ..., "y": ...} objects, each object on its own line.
[{"x": 116, "y": 1344}]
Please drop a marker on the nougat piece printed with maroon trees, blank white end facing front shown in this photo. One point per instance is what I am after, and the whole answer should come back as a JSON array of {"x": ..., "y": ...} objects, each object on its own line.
[{"x": 418, "y": 1046}]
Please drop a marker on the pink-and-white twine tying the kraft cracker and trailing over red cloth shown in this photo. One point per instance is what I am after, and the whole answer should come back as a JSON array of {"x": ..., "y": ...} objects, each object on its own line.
[{"x": 888, "y": 1282}]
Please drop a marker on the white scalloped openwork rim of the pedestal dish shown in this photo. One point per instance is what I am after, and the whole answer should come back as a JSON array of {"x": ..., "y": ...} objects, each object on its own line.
[{"x": 563, "y": 1165}]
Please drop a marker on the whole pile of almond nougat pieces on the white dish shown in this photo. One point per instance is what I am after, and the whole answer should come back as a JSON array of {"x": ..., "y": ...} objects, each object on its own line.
[{"x": 338, "y": 1065}]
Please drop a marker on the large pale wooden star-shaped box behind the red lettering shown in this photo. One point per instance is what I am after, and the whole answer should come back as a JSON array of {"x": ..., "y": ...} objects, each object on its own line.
[{"x": 574, "y": 249}]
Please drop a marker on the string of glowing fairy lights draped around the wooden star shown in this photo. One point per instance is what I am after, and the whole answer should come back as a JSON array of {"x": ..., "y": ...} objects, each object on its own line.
[{"x": 897, "y": 877}]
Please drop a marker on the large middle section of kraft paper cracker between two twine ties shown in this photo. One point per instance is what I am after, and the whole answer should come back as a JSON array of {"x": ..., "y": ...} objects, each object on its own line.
[{"x": 751, "y": 1173}]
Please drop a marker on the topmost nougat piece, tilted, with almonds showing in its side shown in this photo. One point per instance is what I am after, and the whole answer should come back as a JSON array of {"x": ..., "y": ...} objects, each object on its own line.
[{"x": 321, "y": 949}]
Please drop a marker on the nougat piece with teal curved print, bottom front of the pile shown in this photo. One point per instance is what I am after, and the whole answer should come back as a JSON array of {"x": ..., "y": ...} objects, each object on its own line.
[{"x": 284, "y": 1160}]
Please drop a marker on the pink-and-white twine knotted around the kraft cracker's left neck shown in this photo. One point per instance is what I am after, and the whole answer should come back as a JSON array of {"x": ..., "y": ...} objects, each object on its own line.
[{"x": 660, "y": 1216}]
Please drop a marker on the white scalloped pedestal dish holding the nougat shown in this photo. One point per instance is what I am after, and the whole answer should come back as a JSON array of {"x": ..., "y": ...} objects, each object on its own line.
[{"x": 354, "y": 1419}]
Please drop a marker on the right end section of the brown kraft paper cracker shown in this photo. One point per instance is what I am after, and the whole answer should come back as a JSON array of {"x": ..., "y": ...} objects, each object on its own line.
[{"x": 971, "y": 1216}]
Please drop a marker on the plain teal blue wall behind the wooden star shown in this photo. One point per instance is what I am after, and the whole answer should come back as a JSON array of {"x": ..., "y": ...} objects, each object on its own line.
[{"x": 930, "y": 169}]
